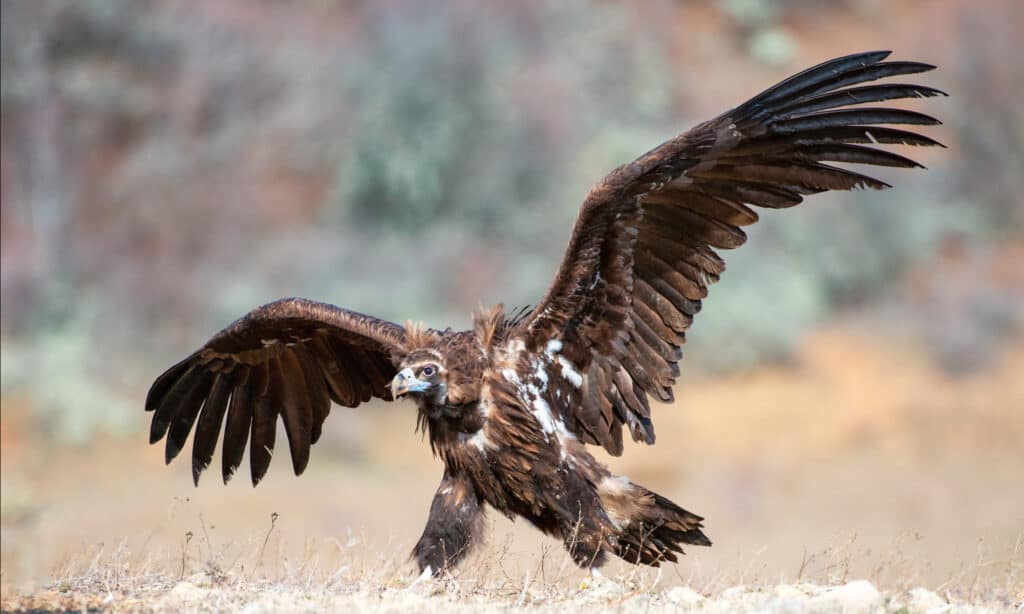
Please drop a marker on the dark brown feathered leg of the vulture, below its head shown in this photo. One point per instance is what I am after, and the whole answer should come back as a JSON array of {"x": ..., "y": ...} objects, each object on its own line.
[{"x": 454, "y": 525}]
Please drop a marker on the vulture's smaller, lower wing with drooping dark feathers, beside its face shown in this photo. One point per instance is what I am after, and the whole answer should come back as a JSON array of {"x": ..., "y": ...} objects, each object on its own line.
[{"x": 291, "y": 358}]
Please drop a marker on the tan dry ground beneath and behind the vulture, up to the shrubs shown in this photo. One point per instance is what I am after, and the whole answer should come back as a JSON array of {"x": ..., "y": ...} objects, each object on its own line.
[{"x": 859, "y": 461}]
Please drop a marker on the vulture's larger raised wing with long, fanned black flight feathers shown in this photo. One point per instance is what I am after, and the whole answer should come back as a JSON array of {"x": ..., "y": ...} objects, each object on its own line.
[{"x": 643, "y": 253}]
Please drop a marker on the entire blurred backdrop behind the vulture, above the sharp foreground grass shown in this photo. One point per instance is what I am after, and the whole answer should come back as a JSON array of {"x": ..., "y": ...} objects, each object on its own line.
[{"x": 852, "y": 383}]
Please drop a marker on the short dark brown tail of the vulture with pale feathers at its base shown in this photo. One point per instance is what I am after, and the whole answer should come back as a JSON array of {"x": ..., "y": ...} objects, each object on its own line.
[{"x": 651, "y": 529}]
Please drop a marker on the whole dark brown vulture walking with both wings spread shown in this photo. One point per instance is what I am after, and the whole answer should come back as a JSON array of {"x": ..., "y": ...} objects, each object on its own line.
[{"x": 511, "y": 406}]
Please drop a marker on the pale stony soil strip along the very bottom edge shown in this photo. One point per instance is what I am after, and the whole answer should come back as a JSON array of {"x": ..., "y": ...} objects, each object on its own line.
[{"x": 859, "y": 596}]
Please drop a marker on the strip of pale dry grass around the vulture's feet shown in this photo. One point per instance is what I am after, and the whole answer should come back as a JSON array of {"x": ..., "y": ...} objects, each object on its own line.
[{"x": 355, "y": 576}]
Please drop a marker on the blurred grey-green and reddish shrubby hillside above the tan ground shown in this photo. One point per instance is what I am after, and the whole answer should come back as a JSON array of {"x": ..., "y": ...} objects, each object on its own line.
[{"x": 168, "y": 167}]
